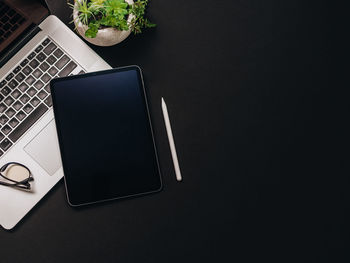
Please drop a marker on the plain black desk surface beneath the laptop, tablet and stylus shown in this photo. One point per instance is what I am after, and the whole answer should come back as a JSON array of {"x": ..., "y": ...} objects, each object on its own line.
[{"x": 248, "y": 91}]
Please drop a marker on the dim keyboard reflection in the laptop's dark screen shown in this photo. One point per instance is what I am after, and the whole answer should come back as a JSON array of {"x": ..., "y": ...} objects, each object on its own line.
[{"x": 10, "y": 20}]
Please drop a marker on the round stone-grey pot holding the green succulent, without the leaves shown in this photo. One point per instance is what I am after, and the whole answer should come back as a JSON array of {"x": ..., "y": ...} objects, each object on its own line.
[{"x": 105, "y": 37}]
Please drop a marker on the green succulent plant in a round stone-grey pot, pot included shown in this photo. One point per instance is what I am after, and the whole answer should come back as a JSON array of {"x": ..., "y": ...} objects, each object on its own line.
[{"x": 108, "y": 22}]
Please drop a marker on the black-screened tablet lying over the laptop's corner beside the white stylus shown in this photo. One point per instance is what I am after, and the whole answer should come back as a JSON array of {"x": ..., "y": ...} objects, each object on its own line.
[{"x": 105, "y": 135}]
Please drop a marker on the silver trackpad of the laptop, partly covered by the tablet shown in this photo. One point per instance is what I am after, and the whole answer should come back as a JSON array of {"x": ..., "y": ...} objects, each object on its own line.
[{"x": 44, "y": 149}]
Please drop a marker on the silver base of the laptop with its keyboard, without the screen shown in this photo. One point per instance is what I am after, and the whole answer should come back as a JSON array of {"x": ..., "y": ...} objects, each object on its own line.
[{"x": 37, "y": 146}]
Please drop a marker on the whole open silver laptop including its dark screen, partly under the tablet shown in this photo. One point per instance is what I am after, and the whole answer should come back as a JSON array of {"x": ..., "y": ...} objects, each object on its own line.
[{"x": 35, "y": 47}]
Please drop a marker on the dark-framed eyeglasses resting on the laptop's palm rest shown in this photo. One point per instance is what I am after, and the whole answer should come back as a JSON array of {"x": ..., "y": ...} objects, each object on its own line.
[{"x": 16, "y": 175}]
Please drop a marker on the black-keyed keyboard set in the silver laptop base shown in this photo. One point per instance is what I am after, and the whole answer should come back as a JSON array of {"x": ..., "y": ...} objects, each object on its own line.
[{"x": 25, "y": 92}]
